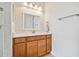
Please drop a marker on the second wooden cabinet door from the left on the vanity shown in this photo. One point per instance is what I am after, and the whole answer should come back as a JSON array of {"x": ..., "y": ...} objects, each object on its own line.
[{"x": 32, "y": 49}]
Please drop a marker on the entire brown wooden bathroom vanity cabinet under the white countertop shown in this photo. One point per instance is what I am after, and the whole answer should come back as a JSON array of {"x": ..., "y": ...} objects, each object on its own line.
[{"x": 32, "y": 46}]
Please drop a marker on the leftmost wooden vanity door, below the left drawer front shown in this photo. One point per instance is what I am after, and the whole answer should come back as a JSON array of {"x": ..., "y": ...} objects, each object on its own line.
[{"x": 19, "y": 50}]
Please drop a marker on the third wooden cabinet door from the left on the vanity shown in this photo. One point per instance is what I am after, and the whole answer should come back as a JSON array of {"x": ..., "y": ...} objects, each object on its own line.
[{"x": 41, "y": 47}]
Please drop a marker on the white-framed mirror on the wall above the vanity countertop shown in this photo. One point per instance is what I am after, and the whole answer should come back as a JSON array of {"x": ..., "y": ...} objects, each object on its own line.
[{"x": 31, "y": 22}]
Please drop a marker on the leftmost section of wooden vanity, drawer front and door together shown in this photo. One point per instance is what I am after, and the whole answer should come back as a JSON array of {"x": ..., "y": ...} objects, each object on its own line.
[{"x": 19, "y": 47}]
